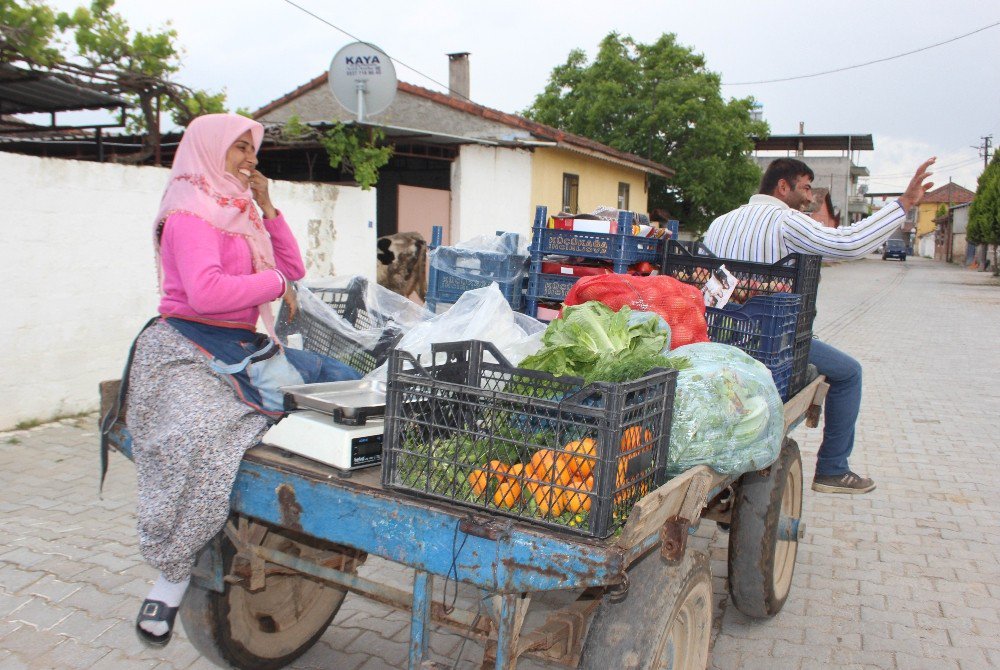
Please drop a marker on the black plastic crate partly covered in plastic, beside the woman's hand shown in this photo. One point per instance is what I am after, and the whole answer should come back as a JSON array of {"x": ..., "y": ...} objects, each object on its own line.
[{"x": 318, "y": 336}]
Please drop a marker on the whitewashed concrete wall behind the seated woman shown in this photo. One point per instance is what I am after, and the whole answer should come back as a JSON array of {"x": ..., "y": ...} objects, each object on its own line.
[{"x": 79, "y": 277}]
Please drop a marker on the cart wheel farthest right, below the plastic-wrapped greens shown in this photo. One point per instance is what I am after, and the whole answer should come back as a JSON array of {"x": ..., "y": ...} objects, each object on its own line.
[{"x": 764, "y": 537}]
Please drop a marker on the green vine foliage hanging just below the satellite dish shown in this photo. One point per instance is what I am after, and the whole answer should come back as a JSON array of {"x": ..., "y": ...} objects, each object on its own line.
[{"x": 358, "y": 149}]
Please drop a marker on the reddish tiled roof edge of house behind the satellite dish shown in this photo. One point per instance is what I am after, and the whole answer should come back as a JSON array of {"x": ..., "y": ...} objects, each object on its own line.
[{"x": 537, "y": 129}]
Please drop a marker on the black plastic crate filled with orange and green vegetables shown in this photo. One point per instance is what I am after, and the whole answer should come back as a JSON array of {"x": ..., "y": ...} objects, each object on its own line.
[{"x": 471, "y": 429}]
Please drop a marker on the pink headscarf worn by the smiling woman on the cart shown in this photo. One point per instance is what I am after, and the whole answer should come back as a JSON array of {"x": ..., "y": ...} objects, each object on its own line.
[{"x": 200, "y": 185}]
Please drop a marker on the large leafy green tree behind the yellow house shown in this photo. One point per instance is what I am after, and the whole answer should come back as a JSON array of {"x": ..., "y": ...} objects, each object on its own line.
[{"x": 660, "y": 101}]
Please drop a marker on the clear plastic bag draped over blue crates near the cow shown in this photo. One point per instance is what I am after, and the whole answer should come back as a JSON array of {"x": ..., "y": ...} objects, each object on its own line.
[{"x": 501, "y": 258}]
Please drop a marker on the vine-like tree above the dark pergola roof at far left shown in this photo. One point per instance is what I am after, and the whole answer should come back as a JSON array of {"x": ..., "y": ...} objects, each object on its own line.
[{"x": 106, "y": 54}]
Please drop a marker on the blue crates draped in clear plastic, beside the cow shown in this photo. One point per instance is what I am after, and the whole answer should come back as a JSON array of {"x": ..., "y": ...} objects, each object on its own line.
[{"x": 447, "y": 283}]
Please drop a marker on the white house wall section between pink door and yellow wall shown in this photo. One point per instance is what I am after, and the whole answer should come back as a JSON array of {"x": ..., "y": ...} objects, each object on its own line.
[{"x": 491, "y": 190}]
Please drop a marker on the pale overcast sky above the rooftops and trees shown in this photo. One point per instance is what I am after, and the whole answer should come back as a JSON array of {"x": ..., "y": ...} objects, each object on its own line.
[{"x": 940, "y": 101}]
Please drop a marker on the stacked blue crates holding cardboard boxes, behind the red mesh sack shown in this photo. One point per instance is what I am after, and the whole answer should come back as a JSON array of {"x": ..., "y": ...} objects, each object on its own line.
[{"x": 621, "y": 249}]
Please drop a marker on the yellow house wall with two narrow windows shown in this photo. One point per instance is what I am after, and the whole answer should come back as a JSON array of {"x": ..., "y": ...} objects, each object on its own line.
[{"x": 598, "y": 181}]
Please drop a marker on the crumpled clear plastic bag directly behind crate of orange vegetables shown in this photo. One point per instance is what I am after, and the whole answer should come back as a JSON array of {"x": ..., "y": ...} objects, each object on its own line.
[{"x": 480, "y": 314}]
